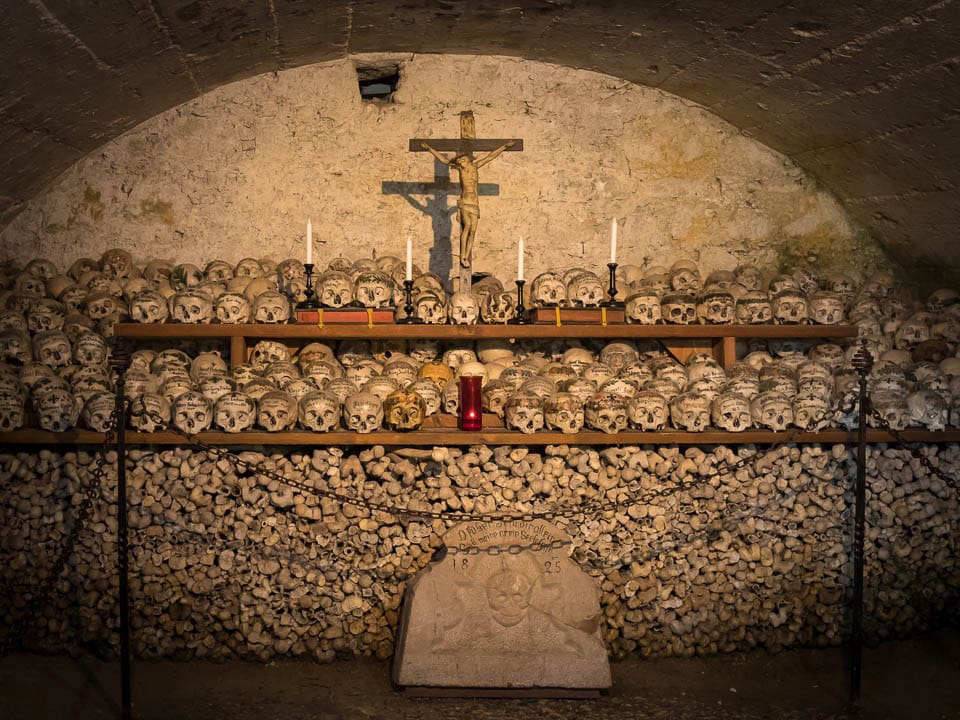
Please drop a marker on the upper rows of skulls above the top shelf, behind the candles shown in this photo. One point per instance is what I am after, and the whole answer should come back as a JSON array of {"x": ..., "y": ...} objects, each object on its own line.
[{"x": 102, "y": 292}]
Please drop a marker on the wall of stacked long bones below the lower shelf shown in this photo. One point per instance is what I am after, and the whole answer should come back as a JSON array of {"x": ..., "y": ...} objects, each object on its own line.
[{"x": 227, "y": 562}]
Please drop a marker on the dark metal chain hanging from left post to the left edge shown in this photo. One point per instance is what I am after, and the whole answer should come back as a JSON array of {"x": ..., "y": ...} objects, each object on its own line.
[{"x": 91, "y": 494}]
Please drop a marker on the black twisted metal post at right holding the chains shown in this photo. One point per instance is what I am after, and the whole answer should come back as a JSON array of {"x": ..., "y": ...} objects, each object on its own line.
[{"x": 862, "y": 361}]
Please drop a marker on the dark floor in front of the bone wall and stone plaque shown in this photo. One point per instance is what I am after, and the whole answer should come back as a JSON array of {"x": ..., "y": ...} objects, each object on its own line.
[{"x": 917, "y": 679}]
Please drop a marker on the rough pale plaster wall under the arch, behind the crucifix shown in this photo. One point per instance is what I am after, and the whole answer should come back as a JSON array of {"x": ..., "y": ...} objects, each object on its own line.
[{"x": 237, "y": 171}]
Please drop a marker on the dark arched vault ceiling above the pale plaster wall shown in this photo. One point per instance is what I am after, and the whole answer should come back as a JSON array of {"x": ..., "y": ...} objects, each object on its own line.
[{"x": 864, "y": 95}]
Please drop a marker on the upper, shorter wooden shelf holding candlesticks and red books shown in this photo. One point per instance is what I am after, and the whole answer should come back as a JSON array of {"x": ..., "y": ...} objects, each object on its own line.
[{"x": 478, "y": 332}]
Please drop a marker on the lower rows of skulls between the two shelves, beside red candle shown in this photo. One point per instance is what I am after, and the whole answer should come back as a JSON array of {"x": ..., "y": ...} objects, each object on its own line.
[{"x": 531, "y": 386}]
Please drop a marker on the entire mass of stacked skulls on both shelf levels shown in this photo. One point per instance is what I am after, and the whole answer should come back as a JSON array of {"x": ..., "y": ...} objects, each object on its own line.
[{"x": 52, "y": 347}]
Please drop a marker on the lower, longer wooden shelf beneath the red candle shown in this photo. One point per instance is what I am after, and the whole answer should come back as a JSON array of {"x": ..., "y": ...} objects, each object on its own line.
[{"x": 493, "y": 436}]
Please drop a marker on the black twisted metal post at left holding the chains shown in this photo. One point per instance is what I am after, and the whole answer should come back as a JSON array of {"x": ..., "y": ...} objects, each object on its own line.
[{"x": 120, "y": 361}]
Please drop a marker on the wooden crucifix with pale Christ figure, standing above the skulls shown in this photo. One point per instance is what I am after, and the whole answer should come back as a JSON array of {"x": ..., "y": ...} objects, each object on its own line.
[{"x": 467, "y": 166}]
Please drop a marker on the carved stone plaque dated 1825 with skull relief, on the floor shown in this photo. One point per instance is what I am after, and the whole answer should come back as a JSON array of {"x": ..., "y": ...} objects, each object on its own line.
[{"x": 503, "y": 607}]
